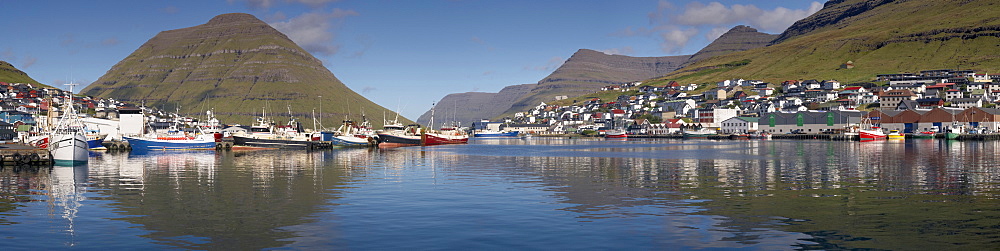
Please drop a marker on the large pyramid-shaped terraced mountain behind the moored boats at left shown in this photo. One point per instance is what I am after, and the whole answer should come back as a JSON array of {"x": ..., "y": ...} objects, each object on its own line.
[{"x": 237, "y": 65}]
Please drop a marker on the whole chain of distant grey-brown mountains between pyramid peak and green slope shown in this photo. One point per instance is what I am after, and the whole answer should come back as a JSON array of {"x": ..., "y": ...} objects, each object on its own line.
[{"x": 585, "y": 72}]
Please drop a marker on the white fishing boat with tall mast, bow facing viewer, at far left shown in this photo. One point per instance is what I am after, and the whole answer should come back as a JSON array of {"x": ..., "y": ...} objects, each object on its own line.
[{"x": 68, "y": 140}]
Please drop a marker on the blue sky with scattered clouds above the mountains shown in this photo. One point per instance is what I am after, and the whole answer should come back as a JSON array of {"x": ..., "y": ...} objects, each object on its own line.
[{"x": 404, "y": 55}]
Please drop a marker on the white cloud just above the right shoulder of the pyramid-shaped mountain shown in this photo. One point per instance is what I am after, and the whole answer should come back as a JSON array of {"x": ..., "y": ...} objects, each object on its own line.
[{"x": 314, "y": 31}]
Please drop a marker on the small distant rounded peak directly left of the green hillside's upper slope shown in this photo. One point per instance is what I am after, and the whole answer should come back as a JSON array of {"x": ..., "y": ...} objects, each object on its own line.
[{"x": 739, "y": 38}]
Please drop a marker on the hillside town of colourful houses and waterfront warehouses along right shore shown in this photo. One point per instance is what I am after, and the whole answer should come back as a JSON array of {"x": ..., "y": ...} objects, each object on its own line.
[{"x": 909, "y": 102}]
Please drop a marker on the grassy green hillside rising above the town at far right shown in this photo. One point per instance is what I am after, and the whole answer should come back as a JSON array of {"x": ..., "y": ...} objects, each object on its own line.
[{"x": 882, "y": 36}]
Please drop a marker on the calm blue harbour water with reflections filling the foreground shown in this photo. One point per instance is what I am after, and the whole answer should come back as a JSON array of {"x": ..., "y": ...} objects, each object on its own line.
[{"x": 553, "y": 194}]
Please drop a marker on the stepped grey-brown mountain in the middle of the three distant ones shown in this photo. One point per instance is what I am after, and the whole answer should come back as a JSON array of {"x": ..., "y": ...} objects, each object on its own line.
[{"x": 588, "y": 70}]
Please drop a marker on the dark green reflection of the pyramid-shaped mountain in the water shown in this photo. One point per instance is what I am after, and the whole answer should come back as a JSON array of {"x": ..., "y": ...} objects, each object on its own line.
[{"x": 224, "y": 200}]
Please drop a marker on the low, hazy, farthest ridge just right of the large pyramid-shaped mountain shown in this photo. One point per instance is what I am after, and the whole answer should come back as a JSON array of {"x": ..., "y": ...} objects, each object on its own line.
[{"x": 469, "y": 107}]
